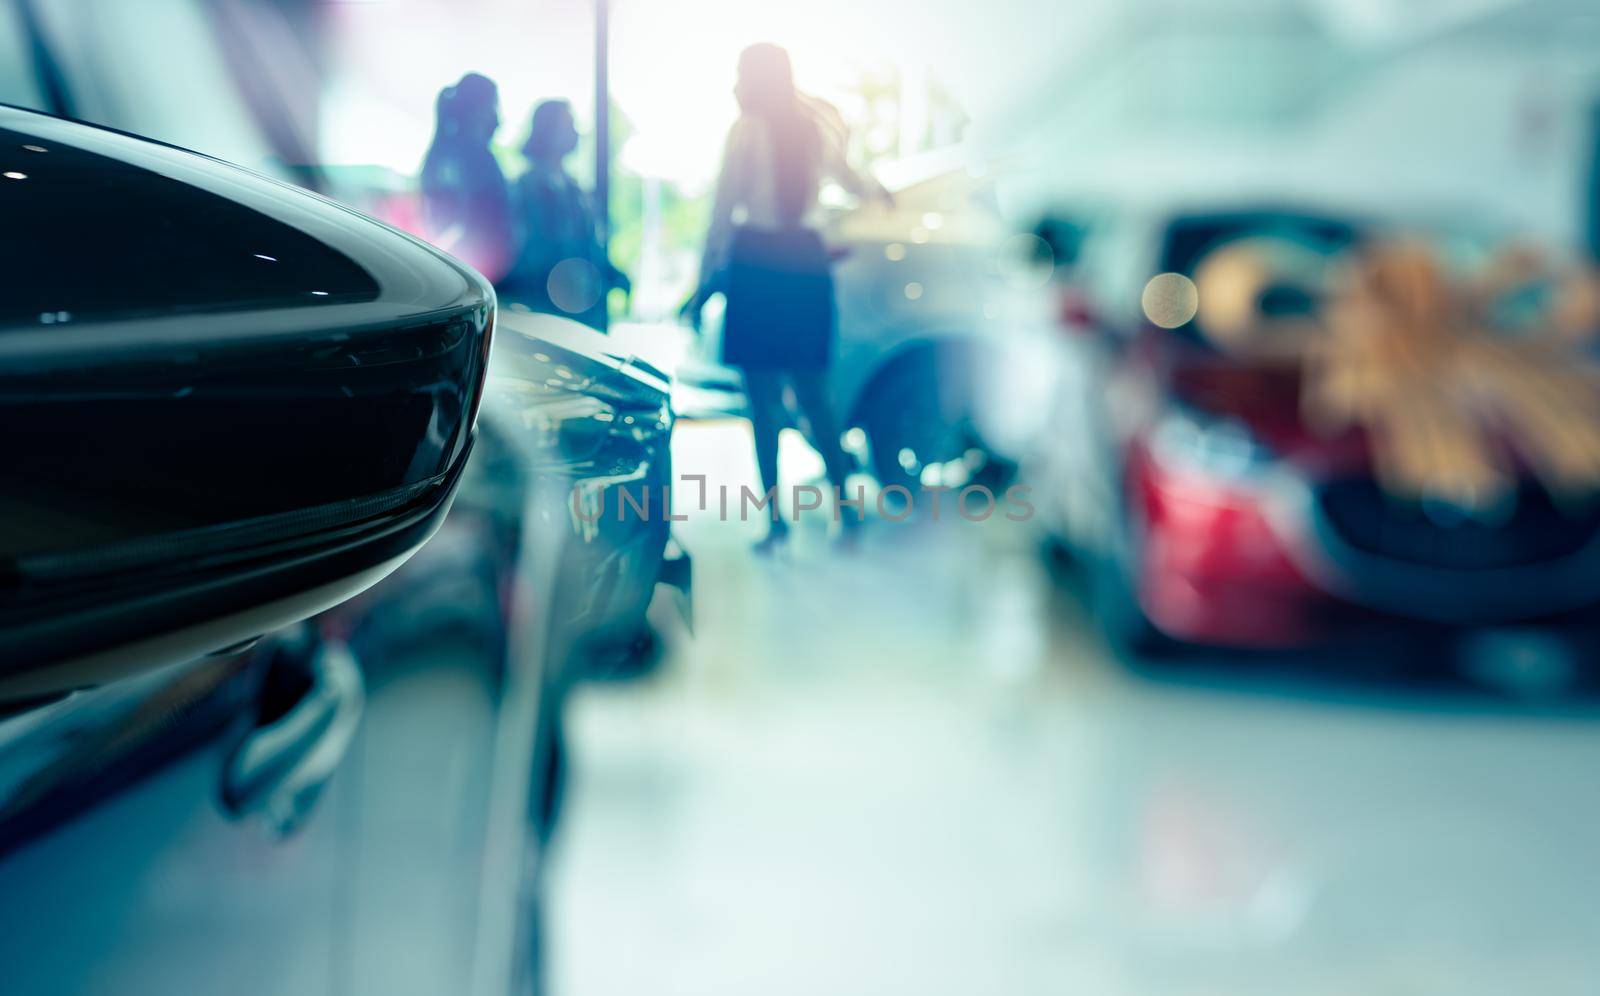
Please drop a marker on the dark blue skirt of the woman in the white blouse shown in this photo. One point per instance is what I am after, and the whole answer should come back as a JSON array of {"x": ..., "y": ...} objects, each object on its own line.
[{"x": 780, "y": 302}]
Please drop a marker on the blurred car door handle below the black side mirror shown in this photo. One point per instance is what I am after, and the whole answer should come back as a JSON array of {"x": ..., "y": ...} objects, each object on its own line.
[{"x": 281, "y": 768}]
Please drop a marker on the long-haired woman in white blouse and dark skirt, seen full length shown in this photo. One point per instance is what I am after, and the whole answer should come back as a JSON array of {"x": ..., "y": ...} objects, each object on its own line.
[{"x": 767, "y": 259}]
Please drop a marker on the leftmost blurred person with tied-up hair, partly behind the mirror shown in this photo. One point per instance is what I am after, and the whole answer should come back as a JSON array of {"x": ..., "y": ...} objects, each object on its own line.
[{"x": 466, "y": 206}]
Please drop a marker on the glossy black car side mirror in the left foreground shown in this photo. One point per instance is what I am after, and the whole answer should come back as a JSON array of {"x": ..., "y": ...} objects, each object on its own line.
[{"x": 226, "y": 404}]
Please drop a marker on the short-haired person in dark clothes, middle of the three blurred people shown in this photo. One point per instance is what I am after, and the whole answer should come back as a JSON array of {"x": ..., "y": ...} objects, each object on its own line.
[{"x": 562, "y": 267}]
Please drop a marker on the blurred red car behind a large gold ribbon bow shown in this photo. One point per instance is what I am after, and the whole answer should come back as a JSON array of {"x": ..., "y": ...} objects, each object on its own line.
[{"x": 1210, "y": 515}]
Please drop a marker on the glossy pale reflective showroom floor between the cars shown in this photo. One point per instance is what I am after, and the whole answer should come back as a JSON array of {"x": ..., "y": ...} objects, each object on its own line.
[{"x": 916, "y": 771}]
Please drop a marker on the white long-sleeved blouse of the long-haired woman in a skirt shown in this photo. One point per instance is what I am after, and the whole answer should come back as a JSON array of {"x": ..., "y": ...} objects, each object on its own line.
[{"x": 748, "y": 183}]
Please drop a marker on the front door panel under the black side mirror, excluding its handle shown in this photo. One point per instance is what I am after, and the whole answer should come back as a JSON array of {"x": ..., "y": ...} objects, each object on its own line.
[{"x": 127, "y": 874}]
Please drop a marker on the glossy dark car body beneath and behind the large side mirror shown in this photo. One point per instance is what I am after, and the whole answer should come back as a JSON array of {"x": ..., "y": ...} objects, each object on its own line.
[{"x": 414, "y": 865}]
